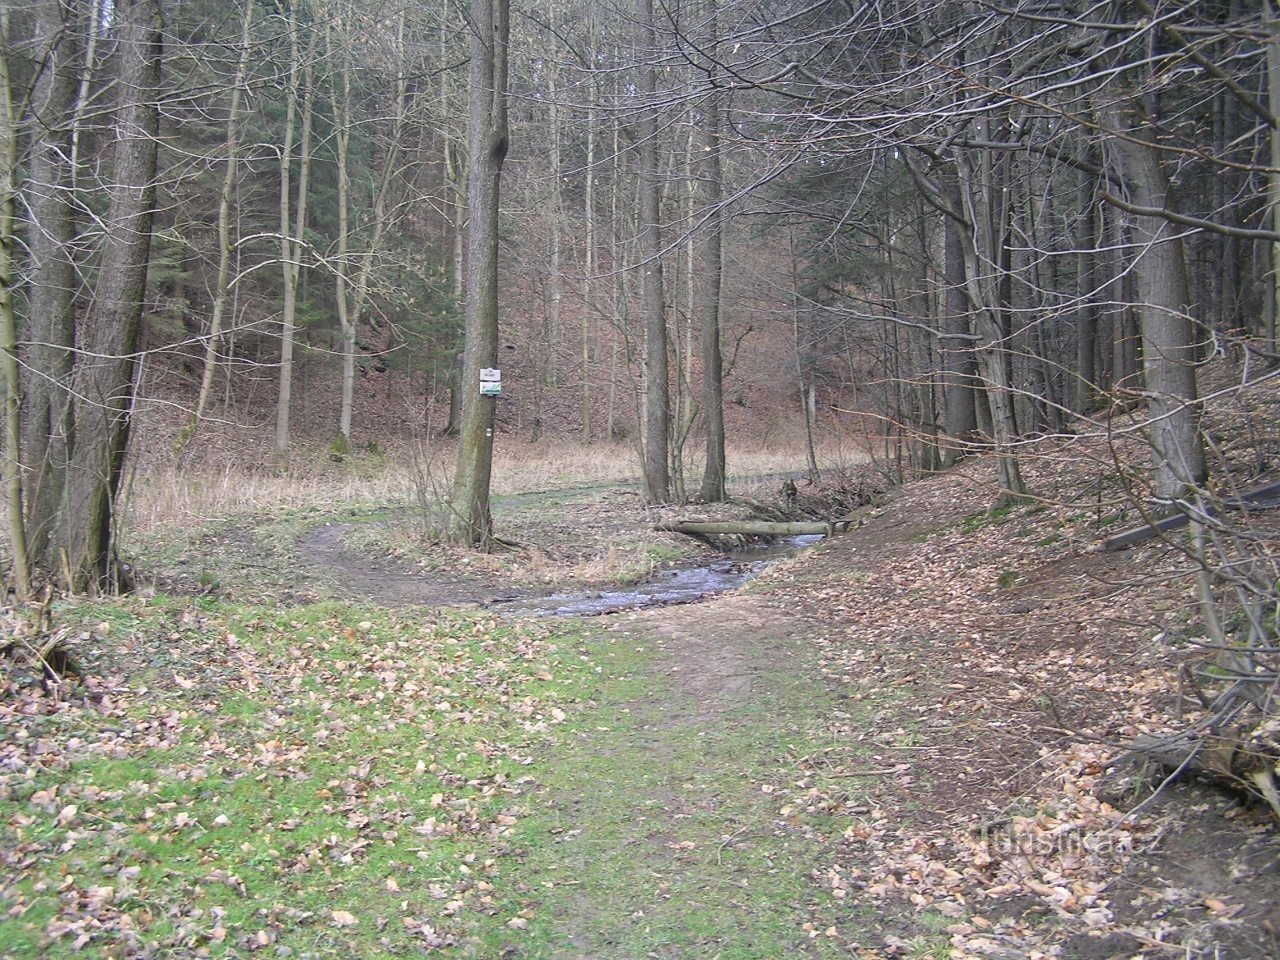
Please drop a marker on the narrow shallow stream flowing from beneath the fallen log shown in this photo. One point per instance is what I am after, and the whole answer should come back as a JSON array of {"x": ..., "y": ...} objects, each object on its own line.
[{"x": 680, "y": 584}]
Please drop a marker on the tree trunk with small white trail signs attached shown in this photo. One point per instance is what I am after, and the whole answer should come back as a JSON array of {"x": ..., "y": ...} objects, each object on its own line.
[{"x": 487, "y": 138}]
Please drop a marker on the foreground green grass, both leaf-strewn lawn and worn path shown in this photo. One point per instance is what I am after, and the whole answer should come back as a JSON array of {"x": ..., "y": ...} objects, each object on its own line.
[{"x": 342, "y": 781}]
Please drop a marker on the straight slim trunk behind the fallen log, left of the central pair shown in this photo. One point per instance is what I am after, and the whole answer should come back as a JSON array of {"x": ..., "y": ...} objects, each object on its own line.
[{"x": 657, "y": 404}]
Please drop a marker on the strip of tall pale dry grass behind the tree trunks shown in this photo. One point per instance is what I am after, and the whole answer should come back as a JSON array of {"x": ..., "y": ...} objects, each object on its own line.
[{"x": 170, "y": 493}]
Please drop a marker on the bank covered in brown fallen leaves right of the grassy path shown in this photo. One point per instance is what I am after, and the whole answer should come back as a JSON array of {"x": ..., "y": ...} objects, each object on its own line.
[{"x": 1025, "y": 660}]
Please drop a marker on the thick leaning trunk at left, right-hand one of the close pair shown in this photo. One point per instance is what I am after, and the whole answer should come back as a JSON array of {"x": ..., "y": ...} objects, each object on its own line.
[{"x": 104, "y": 378}]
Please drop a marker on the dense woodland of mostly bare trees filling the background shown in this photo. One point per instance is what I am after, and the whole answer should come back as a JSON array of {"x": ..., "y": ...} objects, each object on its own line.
[{"x": 972, "y": 225}]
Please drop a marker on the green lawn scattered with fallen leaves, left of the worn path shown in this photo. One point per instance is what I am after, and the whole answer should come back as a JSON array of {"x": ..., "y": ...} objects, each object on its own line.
[{"x": 323, "y": 757}]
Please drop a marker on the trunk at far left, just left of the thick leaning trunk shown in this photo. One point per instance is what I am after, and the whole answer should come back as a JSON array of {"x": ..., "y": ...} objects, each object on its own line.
[{"x": 52, "y": 299}]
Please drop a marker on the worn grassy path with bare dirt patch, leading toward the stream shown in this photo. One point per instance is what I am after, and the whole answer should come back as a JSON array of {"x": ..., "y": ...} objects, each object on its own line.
[{"x": 665, "y": 831}]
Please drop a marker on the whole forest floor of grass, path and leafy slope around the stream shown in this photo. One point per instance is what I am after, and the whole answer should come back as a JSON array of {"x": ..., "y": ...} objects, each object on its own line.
[{"x": 290, "y": 744}]
